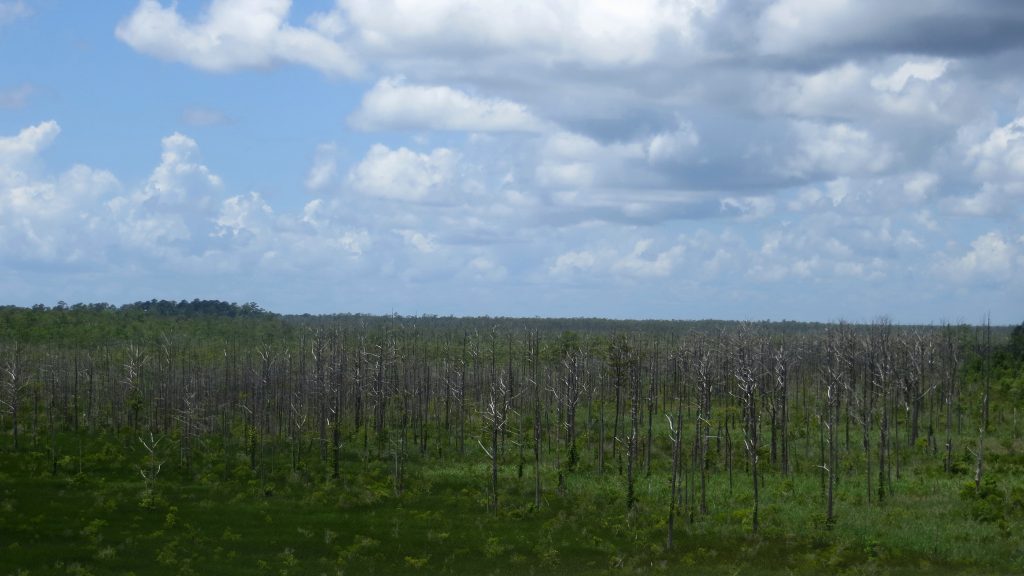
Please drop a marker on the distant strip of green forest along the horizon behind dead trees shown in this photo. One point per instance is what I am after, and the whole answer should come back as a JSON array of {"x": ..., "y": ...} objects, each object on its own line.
[{"x": 107, "y": 324}]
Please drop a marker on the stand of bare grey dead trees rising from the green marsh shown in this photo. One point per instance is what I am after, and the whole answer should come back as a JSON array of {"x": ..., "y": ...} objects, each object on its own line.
[{"x": 676, "y": 407}]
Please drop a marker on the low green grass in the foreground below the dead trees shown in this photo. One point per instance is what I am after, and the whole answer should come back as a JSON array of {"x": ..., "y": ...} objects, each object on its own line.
[{"x": 98, "y": 516}]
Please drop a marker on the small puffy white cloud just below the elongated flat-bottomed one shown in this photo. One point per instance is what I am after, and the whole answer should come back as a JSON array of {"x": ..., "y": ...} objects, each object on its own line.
[{"x": 404, "y": 175}]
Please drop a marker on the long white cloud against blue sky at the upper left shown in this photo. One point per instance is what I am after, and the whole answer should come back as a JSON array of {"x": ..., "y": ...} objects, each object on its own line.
[{"x": 232, "y": 35}]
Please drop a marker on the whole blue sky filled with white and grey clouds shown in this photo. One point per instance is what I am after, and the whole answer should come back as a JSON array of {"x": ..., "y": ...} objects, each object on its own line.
[{"x": 810, "y": 160}]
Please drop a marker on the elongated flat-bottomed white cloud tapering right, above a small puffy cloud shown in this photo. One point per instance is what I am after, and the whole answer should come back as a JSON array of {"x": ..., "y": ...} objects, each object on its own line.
[{"x": 393, "y": 104}]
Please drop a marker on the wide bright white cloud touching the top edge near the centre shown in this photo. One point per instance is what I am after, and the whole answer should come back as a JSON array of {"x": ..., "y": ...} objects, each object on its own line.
[{"x": 594, "y": 33}]
